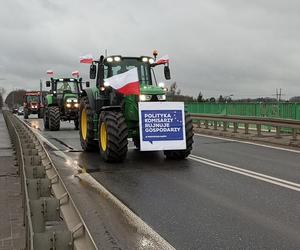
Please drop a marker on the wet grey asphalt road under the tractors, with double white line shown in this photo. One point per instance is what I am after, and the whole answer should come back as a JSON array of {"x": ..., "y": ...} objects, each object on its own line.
[{"x": 227, "y": 195}]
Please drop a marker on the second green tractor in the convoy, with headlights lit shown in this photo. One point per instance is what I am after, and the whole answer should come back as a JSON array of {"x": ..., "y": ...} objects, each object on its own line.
[{"x": 62, "y": 103}]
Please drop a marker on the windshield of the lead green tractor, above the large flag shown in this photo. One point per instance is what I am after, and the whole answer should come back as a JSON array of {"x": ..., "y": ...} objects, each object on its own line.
[{"x": 115, "y": 68}]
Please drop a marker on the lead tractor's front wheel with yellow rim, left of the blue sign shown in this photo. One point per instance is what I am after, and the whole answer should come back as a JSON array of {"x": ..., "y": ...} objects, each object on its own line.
[{"x": 114, "y": 137}]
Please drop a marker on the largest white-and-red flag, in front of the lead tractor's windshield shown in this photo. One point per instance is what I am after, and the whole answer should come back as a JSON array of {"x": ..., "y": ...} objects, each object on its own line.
[{"x": 126, "y": 83}]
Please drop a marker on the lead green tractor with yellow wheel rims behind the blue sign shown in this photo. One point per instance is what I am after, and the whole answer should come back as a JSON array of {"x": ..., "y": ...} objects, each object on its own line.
[{"x": 107, "y": 118}]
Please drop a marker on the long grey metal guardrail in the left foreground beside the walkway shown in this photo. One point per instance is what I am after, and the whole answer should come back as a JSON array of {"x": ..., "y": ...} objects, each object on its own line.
[{"x": 51, "y": 218}]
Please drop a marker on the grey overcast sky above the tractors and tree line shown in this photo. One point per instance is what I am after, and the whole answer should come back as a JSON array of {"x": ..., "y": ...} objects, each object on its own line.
[{"x": 244, "y": 48}]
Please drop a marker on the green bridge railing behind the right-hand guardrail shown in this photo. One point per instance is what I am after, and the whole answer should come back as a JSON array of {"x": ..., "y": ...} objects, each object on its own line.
[{"x": 272, "y": 110}]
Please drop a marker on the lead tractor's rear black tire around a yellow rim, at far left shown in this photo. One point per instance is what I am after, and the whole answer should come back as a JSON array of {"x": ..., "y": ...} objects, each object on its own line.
[{"x": 87, "y": 142}]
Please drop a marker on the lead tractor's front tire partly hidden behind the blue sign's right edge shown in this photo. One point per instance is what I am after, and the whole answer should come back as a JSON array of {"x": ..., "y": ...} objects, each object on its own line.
[{"x": 182, "y": 154}]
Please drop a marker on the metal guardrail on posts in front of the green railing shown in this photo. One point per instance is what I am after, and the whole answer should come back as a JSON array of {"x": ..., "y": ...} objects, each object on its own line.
[{"x": 277, "y": 123}]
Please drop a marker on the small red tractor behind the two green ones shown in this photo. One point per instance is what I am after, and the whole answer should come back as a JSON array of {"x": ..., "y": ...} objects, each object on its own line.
[{"x": 32, "y": 104}]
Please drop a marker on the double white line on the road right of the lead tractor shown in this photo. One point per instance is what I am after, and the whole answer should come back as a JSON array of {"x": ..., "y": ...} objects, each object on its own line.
[{"x": 252, "y": 174}]
